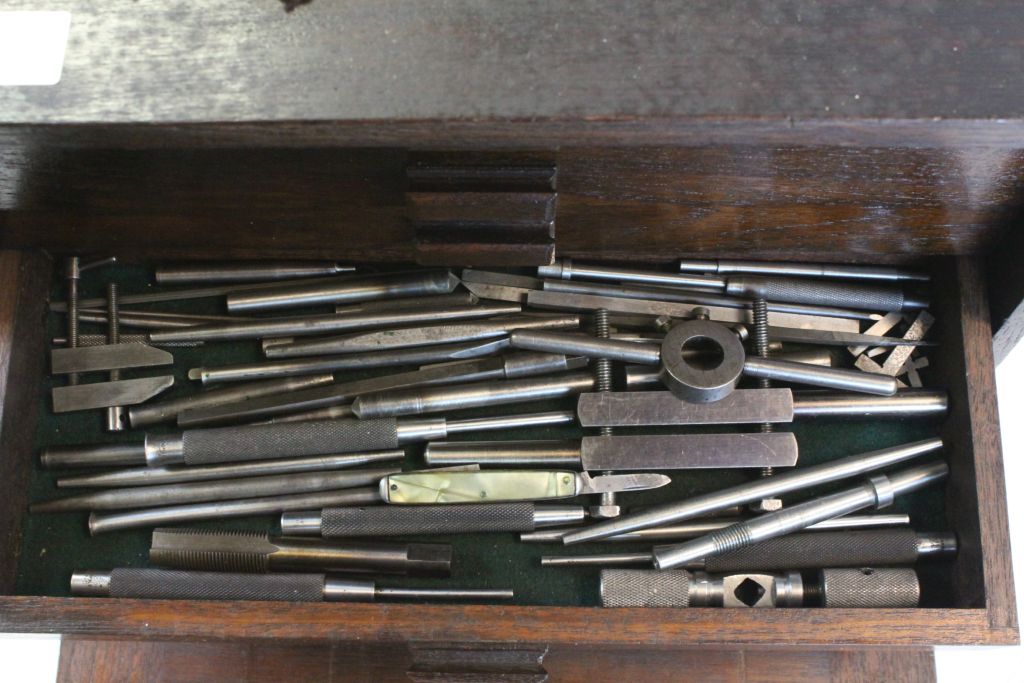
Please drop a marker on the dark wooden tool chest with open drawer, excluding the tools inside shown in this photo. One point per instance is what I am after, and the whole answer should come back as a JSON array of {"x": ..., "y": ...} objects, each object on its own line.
[{"x": 499, "y": 135}]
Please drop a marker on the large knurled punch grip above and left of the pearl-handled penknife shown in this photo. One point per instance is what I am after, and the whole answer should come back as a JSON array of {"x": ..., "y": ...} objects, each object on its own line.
[{"x": 223, "y": 445}]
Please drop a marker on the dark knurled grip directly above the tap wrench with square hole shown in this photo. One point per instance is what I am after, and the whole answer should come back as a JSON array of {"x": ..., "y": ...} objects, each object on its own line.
[{"x": 822, "y": 549}]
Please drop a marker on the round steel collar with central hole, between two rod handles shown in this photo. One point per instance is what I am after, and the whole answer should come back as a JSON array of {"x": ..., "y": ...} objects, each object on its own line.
[{"x": 715, "y": 363}]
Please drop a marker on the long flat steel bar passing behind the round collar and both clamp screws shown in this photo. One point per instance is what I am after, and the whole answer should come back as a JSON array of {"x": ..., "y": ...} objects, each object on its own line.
[{"x": 657, "y": 309}]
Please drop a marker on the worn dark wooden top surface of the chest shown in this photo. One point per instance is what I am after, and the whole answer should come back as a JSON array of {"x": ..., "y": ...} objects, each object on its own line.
[{"x": 152, "y": 61}]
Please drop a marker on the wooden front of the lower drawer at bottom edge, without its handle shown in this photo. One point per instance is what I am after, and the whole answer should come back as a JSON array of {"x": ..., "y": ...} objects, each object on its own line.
[{"x": 117, "y": 661}]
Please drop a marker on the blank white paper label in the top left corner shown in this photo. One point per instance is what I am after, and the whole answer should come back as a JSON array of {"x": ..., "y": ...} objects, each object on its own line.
[{"x": 32, "y": 48}]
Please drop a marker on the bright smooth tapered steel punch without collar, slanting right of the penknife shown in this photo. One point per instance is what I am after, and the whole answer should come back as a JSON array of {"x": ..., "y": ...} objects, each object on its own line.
[{"x": 699, "y": 506}]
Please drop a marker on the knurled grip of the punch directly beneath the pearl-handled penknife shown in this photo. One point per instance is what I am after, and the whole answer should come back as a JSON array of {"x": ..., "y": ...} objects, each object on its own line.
[{"x": 425, "y": 520}]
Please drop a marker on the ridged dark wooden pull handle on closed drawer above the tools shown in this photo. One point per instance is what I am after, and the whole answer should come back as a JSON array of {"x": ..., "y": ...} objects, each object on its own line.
[{"x": 480, "y": 209}]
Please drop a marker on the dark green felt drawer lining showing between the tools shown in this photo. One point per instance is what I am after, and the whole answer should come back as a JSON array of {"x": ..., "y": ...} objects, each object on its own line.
[{"x": 55, "y": 545}]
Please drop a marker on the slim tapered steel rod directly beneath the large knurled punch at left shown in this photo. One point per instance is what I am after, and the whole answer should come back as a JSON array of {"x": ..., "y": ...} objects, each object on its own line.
[{"x": 146, "y": 477}]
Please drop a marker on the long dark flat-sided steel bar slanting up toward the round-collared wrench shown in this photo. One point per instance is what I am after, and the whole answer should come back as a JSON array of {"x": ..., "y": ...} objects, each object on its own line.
[{"x": 518, "y": 365}]
